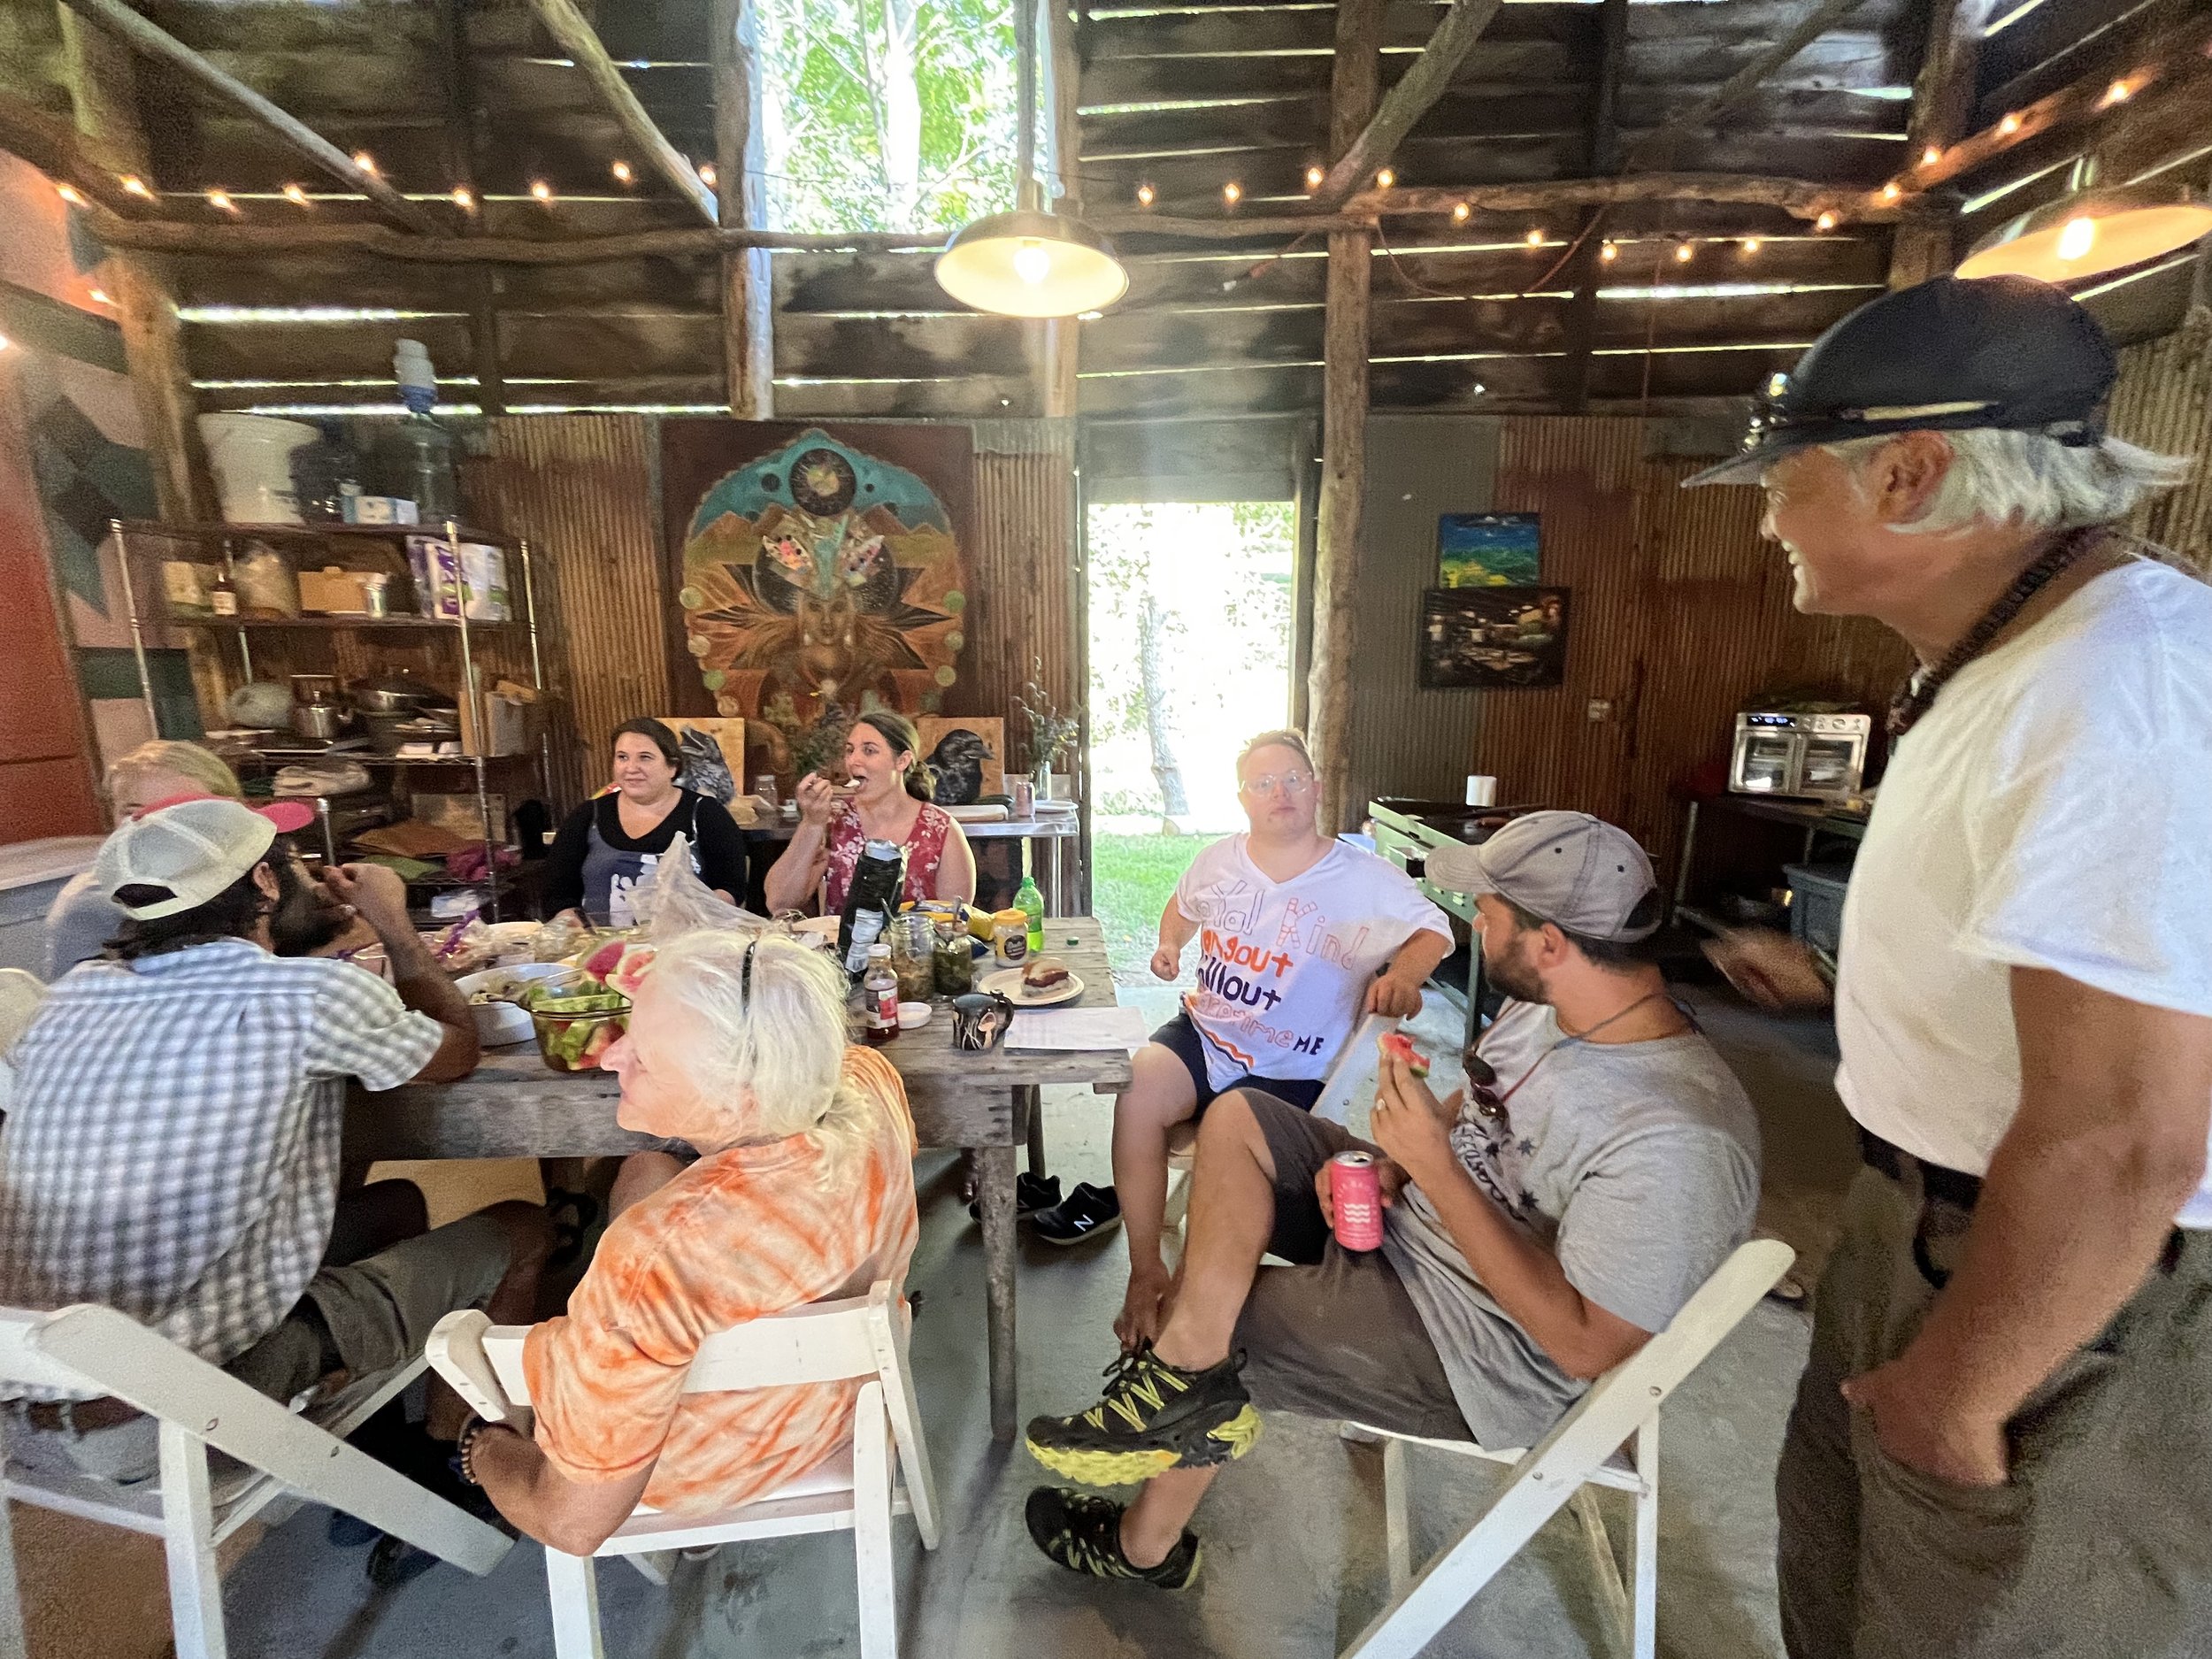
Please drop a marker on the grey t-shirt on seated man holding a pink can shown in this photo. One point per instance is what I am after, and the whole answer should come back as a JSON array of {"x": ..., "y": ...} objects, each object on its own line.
[{"x": 1638, "y": 1165}]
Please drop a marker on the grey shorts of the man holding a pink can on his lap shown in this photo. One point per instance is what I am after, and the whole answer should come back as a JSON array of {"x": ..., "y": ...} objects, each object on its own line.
[{"x": 1335, "y": 1335}]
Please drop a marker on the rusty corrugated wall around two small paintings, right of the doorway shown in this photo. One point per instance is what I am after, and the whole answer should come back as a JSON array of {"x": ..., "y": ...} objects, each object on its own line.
[{"x": 1680, "y": 614}]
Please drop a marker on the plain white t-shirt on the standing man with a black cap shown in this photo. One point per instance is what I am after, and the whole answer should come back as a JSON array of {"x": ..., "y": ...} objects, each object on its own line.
[{"x": 2052, "y": 811}]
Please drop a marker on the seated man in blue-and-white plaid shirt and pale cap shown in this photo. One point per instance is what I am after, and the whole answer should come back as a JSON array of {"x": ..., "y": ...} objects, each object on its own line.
[{"x": 174, "y": 1140}]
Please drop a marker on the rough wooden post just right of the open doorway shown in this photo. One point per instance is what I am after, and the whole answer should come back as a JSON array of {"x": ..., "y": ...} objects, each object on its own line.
[{"x": 1344, "y": 424}]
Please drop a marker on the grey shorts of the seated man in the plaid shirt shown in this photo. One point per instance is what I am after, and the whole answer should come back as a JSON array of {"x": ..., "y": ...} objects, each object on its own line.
[{"x": 377, "y": 1313}]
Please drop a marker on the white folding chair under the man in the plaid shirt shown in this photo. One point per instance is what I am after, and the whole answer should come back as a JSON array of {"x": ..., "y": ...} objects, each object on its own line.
[{"x": 194, "y": 1507}]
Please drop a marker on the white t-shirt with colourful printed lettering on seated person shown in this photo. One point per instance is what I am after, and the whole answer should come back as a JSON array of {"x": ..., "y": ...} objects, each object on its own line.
[{"x": 1284, "y": 966}]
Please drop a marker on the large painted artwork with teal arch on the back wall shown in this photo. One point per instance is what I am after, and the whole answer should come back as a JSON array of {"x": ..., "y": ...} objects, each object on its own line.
[{"x": 817, "y": 572}]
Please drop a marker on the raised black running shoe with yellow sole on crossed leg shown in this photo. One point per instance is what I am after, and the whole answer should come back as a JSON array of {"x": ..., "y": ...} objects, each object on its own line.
[{"x": 1151, "y": 1419}]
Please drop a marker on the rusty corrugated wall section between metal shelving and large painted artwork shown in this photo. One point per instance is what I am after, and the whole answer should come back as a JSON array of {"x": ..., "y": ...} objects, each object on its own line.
[{"x": 583, "y": 490}]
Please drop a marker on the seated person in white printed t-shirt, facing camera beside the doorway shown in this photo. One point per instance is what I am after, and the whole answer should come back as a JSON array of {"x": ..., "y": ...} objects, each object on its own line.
[{"x": 1300, "y": 937}]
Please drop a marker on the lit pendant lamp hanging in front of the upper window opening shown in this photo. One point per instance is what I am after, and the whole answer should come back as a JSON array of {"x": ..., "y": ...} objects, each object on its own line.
[{"x": 1032, "y": 262}]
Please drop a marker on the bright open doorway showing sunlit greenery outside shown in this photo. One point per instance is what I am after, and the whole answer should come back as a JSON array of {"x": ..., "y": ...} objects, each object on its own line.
[{"x": 1191, "y": 647}]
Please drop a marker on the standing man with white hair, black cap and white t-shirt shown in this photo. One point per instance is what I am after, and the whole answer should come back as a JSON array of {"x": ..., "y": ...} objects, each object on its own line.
[{"x": 2003, "y": 1441}]
